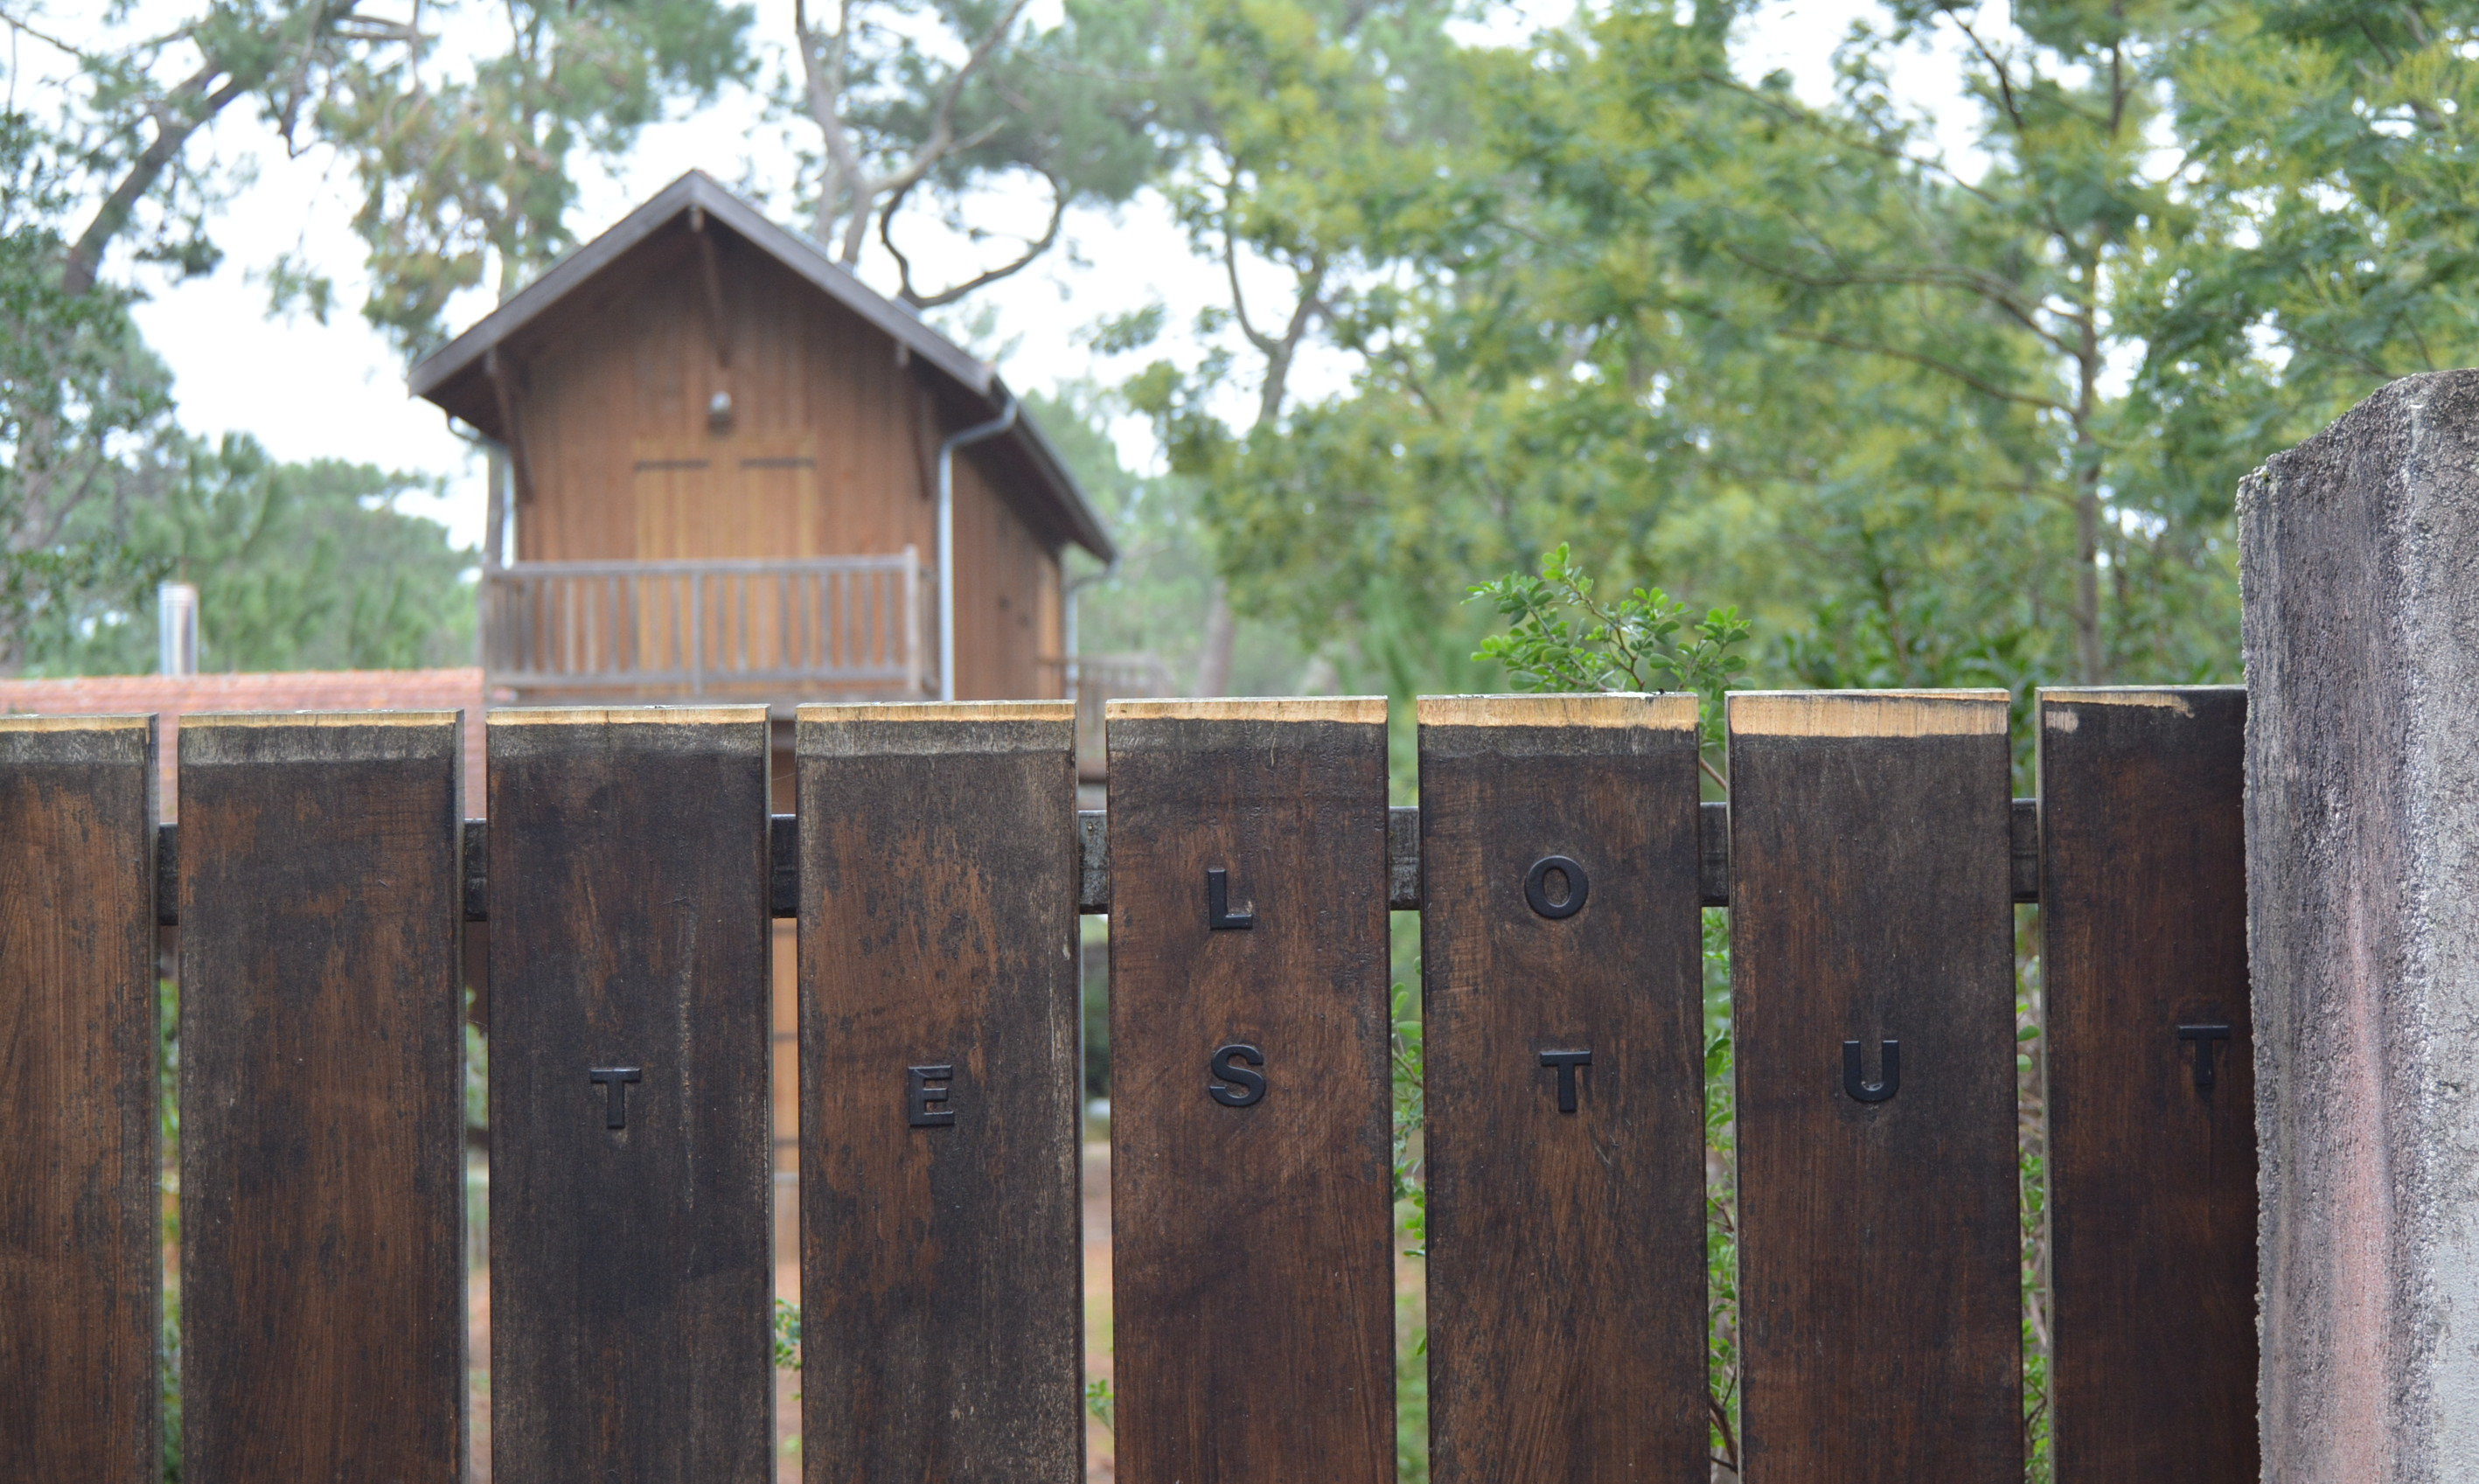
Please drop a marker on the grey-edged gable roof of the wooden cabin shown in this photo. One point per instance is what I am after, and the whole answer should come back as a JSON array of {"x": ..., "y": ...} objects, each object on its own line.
[{"x": 455, "y": 373}]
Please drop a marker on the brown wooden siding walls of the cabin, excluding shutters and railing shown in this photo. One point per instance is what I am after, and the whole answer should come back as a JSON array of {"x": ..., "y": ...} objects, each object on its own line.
[{"x": 631, "y": 365}]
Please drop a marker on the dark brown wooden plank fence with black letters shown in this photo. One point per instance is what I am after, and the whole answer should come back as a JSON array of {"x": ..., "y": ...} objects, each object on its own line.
[{"x": 1561, "y": 861}]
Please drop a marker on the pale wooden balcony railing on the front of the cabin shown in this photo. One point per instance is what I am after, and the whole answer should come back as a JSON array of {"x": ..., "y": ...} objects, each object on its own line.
[{"x": 725, "y": 628}]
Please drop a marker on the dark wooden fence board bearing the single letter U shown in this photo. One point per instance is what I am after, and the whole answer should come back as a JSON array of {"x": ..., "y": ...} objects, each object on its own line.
[{"x": 1880, "y": 1297}]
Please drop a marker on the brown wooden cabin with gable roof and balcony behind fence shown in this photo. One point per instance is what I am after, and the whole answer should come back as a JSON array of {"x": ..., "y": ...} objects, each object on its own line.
[{"x": 718, "y": 479}]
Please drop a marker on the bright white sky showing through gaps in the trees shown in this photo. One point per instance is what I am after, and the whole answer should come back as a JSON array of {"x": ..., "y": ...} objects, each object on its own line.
[{"x": 338, "y": 390}]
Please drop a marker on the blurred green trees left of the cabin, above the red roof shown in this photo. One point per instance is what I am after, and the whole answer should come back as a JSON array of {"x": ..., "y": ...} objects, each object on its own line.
[{"x": 299, "y": 566}]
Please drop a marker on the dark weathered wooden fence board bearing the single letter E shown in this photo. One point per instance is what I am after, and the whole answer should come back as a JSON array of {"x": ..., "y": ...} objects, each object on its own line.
[{"x": 943, "y": 1319}]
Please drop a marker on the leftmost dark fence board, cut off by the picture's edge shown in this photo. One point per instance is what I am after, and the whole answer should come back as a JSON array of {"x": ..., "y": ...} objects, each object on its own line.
[{"x": 81, "y": 1208}]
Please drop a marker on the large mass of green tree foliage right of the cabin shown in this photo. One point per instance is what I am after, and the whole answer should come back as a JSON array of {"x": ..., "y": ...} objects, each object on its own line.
[{"x": 1915, "y": 415}]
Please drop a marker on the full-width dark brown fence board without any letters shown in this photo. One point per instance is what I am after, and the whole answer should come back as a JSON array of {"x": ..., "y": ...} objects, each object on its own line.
[{"x": 321, "y": 1101}]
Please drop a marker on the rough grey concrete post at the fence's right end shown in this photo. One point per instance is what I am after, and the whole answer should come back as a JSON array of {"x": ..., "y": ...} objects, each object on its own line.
[{"x": 2361, "y": 571}]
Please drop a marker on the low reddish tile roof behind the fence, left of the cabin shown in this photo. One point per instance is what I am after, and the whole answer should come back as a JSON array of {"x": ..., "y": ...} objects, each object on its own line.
[{"x": 309, "y": 690}]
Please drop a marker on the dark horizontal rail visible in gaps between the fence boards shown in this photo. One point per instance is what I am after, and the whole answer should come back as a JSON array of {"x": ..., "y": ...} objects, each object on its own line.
[{"x": 1094, "y": 861}]
